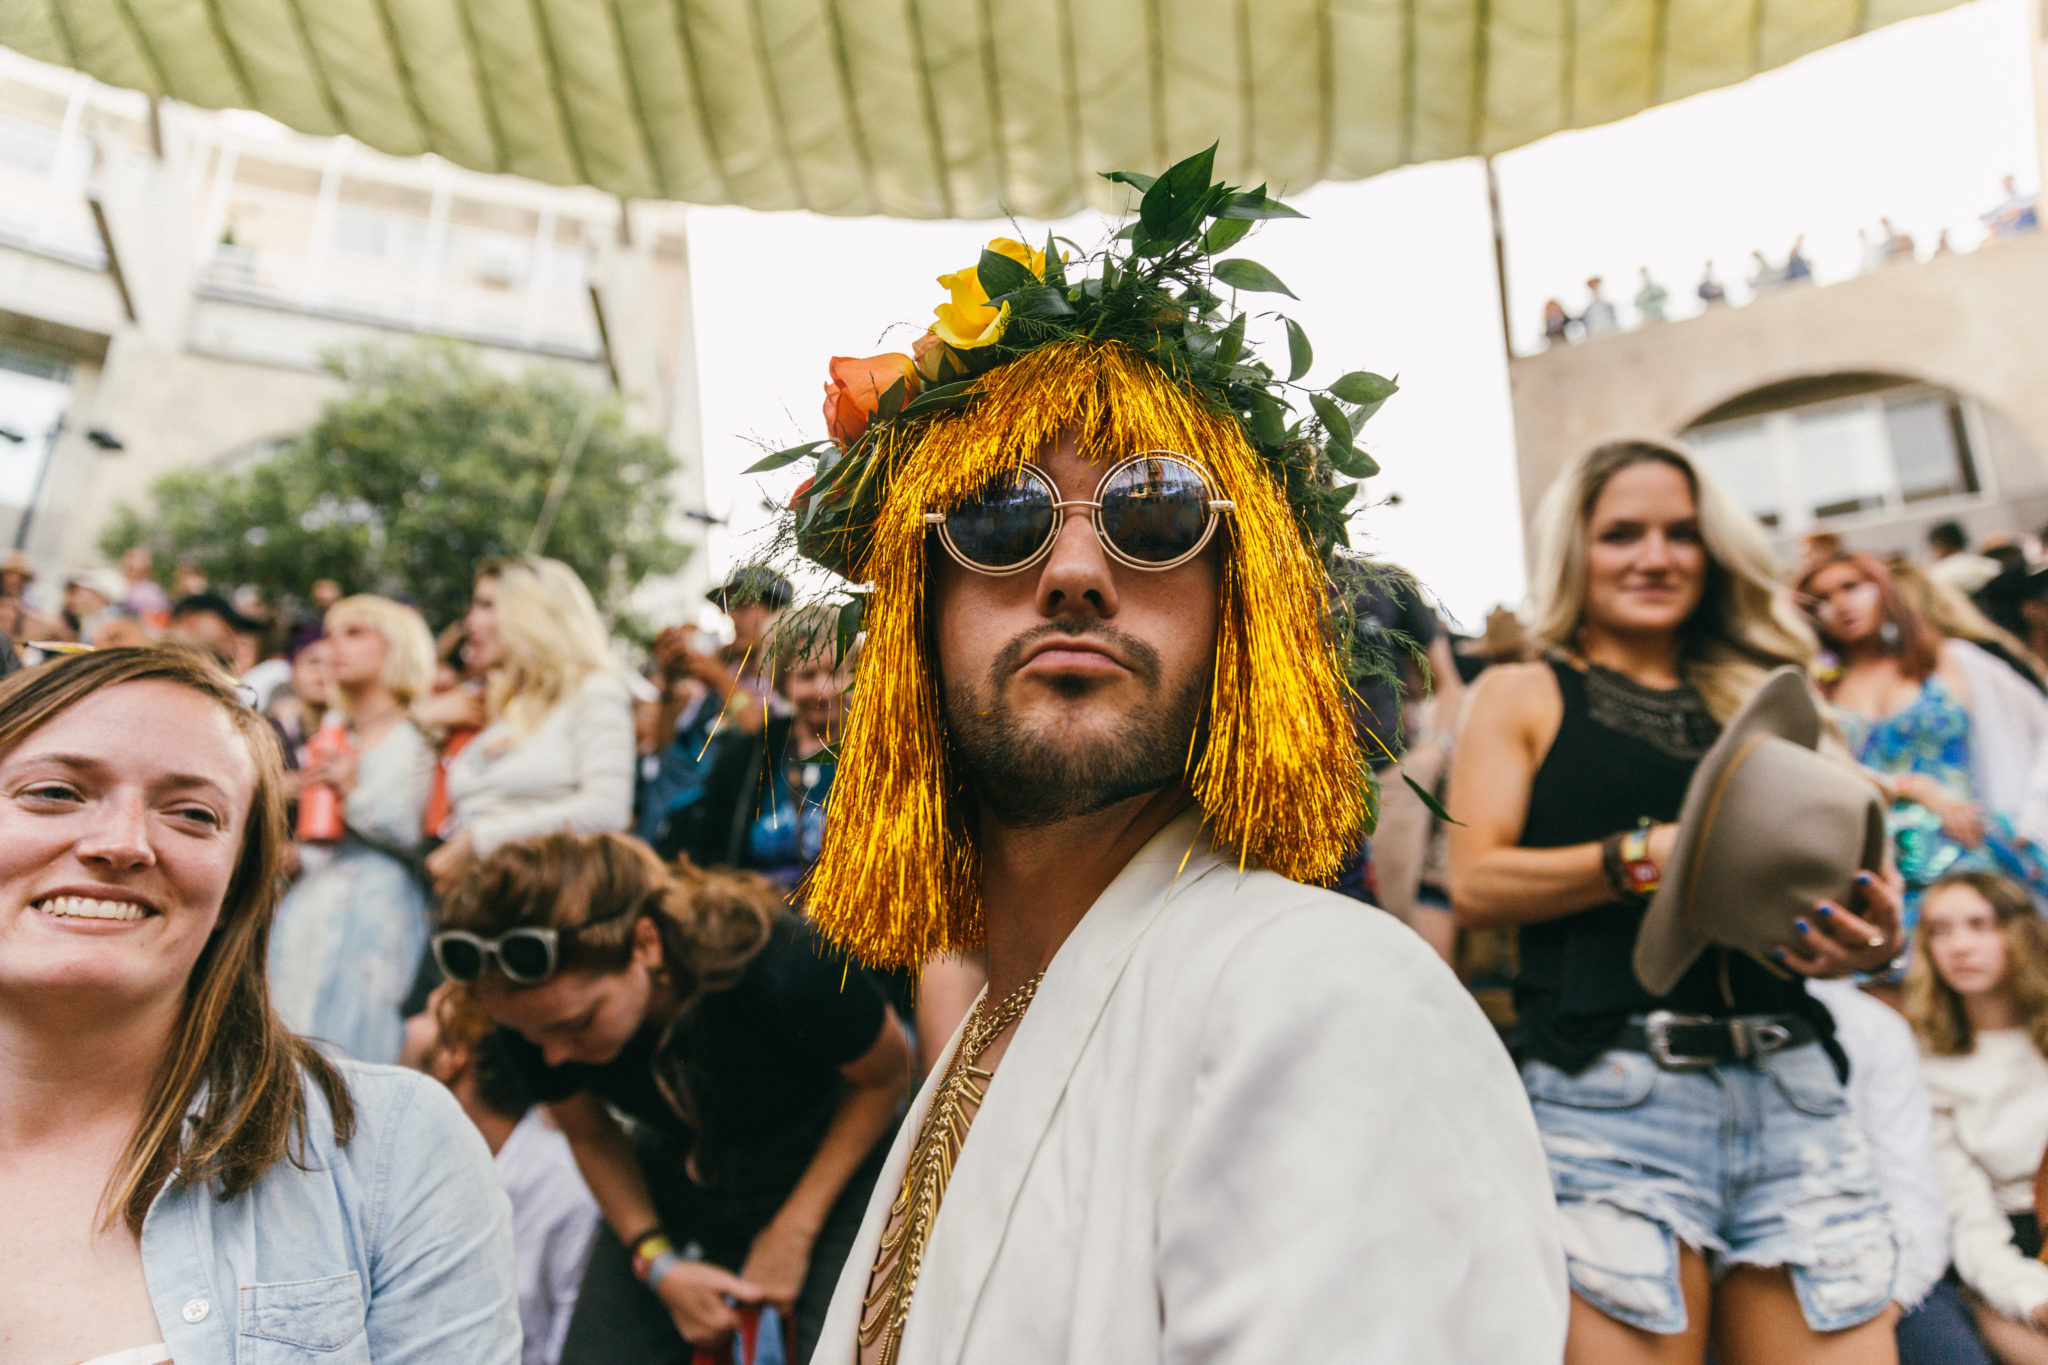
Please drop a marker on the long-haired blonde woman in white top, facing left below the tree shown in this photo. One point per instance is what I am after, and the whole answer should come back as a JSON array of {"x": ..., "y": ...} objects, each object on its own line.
[{"x": 558, "y": 744}]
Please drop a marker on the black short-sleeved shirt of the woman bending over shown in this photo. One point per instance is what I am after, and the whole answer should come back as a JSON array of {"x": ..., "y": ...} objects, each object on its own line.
[{"x": 757, "y": 1067}]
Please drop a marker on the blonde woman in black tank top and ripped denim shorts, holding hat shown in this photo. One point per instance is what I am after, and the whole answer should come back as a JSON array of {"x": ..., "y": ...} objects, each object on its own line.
[{"x": 1689, "y": 1192}]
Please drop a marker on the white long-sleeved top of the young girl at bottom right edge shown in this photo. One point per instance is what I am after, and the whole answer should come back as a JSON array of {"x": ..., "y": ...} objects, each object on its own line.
[{"x": 1990, "y": 1135}]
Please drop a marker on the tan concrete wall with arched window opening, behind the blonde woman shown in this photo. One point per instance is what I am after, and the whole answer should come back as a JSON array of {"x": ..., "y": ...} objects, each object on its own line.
[{"x": 1975, "y": 324}]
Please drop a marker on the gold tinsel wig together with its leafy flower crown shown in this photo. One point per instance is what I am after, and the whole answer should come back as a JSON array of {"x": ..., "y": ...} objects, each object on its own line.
[{"x": 1140, "y": 355}]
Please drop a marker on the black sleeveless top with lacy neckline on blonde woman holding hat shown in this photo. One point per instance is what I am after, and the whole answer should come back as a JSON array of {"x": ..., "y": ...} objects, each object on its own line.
[{"x": 1623, "y": 754}]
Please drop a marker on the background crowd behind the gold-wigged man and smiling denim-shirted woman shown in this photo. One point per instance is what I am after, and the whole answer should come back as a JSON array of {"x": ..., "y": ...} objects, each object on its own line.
[{"x": 648, "y": 1039}]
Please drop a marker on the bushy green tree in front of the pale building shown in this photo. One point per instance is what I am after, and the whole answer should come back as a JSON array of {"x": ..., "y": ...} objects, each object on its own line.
[{"x": 429, "y": 466}]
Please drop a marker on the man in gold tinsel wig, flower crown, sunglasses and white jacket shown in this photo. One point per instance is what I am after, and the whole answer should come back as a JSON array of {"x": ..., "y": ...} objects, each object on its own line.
[{"x": 1103, "y": 732}]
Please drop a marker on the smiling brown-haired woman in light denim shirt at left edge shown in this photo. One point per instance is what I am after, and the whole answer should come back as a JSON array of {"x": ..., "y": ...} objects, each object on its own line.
[{"x": 183, "y": 1176}]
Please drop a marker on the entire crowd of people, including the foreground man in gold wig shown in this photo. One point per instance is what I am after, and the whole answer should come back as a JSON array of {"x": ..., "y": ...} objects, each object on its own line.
[{"x": 474, "y": 996}]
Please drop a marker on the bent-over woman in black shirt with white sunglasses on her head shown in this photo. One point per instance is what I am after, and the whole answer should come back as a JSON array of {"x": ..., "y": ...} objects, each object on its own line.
[{"x": 761, "y": 1075}]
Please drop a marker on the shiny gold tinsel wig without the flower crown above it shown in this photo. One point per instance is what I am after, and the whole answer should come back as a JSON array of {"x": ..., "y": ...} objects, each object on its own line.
[{"x": 1279, "y": 775}]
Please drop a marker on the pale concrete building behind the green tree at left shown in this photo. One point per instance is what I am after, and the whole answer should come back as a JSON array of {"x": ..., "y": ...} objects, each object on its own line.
[{"x": 191, "y": 271}]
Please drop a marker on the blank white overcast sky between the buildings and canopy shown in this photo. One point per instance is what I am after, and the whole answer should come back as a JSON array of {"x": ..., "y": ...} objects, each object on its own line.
[{"x": 1396, "y": 275}]
